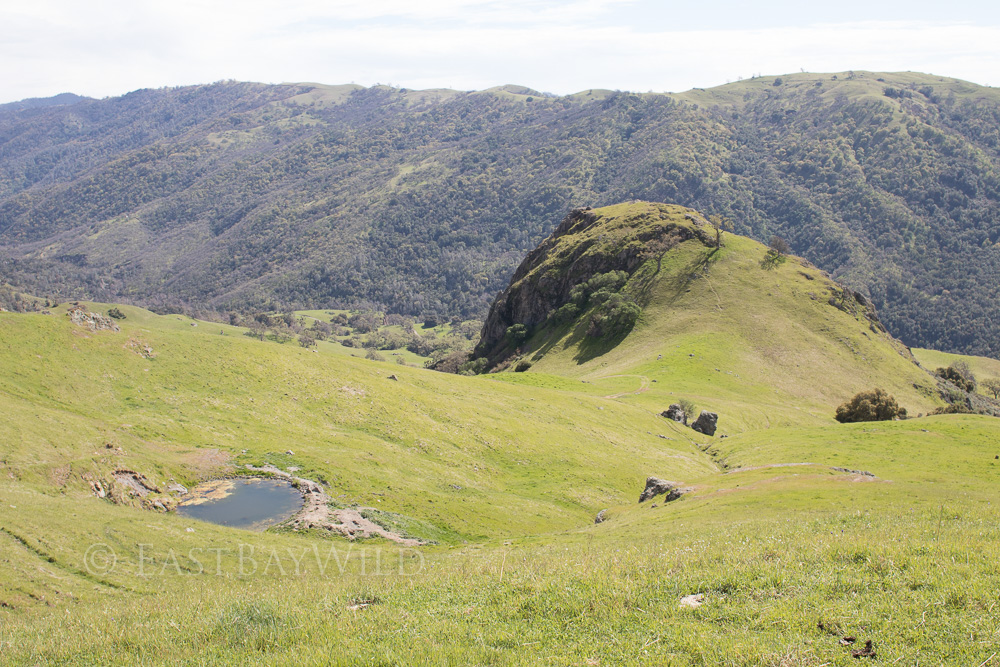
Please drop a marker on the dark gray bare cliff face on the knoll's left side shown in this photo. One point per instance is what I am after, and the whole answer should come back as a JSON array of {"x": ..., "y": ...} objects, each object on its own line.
[{"x": 530, "y": 298}]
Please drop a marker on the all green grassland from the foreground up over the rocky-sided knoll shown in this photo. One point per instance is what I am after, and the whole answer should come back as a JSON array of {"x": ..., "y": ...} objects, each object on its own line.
[{"x": 801, "y": 539}]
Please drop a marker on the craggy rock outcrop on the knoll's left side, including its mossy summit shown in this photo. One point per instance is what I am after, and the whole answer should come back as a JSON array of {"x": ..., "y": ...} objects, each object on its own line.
[{"x": 570, "y": 256}]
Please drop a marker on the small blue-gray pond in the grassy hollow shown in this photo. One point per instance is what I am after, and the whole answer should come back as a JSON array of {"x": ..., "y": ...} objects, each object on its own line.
[{"x": 252, "y": 503}]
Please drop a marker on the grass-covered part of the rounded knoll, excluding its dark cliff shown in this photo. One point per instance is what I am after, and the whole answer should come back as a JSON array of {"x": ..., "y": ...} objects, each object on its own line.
[{"x": 762, "y": 346}]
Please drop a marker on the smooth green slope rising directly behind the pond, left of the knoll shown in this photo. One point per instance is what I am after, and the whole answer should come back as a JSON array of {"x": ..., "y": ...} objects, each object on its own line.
[{"x": 208, "y": 393}]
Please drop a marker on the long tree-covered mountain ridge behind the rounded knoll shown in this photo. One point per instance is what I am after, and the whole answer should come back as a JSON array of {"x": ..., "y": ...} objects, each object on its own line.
[{"x": 248, "y": 195}]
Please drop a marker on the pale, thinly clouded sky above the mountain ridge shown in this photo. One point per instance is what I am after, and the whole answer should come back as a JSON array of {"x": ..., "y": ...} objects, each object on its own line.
[{"x": 102, "y": 48}]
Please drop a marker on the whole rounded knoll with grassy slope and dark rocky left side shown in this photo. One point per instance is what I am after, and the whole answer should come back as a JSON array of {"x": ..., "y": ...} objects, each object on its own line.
[{"x": 762, "y": 342}]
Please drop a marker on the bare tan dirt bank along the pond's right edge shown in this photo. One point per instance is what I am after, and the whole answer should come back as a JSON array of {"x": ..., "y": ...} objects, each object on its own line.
[{"x": 317, "y": 513}]
